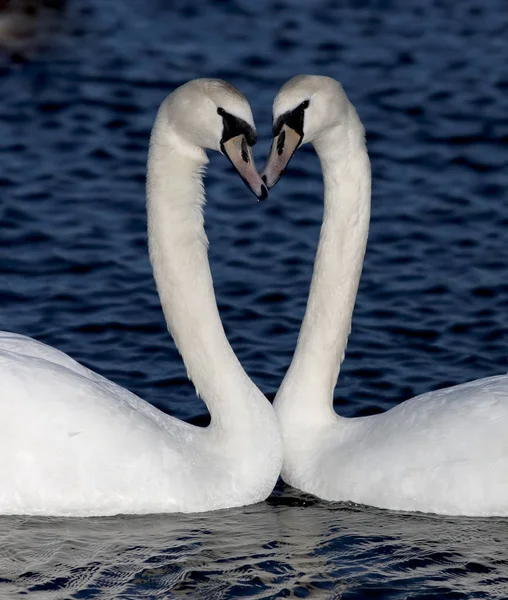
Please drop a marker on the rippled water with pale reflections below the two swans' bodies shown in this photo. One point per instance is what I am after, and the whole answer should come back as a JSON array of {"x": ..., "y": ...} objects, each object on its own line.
[{"x": 291, "y": 546}]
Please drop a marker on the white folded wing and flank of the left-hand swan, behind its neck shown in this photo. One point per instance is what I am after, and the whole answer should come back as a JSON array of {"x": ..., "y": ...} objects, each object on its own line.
[{"x": 72, "y": 442}]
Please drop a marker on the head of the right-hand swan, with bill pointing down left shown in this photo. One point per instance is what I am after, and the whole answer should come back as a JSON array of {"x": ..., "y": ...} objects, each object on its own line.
[{"x": 304, "y": 110}]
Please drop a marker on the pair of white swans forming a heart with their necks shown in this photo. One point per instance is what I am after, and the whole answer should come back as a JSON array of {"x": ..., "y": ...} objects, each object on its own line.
[{"x": 74, "y": 443}]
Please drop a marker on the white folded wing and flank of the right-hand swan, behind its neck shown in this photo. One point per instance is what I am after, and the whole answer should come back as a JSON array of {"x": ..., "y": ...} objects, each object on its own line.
[{"x": 445, "y": 451}]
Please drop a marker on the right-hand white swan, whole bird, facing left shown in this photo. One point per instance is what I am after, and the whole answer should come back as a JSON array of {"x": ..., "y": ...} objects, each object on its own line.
[{"x": 443, "y": 452}]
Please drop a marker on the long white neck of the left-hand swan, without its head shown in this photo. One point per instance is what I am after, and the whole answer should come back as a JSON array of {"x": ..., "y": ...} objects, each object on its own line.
[{"x": 179, "y": 255}]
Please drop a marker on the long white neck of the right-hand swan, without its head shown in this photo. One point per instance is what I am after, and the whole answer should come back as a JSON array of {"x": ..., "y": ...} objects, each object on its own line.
[{"x": 313, "y": 373}]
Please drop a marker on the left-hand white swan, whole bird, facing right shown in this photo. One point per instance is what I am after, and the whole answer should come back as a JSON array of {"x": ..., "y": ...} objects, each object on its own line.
[{"x": 73, "y": 443}]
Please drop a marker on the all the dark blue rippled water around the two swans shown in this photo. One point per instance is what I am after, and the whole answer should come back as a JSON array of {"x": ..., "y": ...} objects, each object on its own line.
[{"x": 79, "y": 87}]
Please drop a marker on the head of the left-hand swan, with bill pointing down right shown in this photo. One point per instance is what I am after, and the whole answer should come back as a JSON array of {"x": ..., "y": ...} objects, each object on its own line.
[{"x": 211, "y": 114}]
